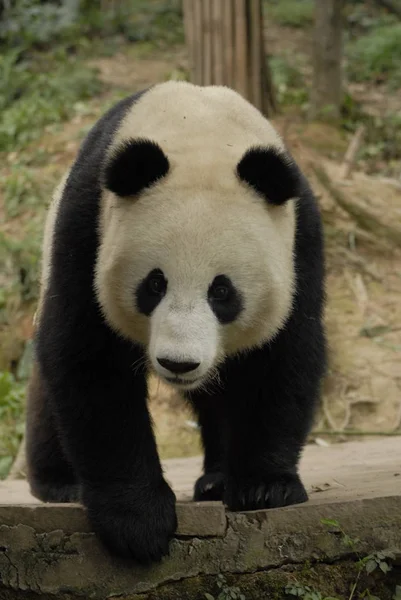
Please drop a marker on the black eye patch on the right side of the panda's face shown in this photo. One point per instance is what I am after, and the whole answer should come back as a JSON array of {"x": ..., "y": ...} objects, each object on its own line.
[{"x": 224, "y": 299}]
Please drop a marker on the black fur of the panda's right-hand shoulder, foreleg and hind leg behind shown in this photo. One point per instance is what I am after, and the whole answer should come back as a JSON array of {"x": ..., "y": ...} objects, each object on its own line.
[{"x": 267, "y": 397}]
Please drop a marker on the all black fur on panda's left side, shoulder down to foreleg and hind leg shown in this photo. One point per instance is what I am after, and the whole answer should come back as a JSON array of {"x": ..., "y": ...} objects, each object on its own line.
[{"x": 94, "y": 399}]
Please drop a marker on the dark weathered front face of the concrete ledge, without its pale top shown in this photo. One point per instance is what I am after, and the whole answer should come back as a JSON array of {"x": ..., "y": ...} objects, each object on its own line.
[{"x": 57, "y": 562}]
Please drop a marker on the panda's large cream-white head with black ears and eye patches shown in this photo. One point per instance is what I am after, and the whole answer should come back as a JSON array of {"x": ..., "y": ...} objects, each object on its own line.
[{"x": 197, "y": 230}]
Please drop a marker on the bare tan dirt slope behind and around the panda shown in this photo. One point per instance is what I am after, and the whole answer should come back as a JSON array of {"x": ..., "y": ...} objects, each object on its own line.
[{"x": 362, "y": 392}]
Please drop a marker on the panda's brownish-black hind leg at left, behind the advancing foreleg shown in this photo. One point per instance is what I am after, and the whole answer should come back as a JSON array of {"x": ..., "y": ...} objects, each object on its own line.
[{"x": 51, "y": 476}]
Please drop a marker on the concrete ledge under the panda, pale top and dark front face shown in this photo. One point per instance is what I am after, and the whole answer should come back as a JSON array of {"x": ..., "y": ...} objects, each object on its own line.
[{"x": 48, "y": 549}]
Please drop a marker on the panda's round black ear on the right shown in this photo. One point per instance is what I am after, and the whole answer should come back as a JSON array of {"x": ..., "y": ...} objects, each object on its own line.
[{"x": 272, "y": 173}]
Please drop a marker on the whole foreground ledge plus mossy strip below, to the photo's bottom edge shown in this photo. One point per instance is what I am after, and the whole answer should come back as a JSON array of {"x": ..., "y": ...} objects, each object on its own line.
[{"x": 345, "y": 543}]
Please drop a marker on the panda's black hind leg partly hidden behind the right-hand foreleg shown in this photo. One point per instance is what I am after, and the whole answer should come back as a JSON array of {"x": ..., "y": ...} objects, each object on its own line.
[{"x": 211, "y": 418}]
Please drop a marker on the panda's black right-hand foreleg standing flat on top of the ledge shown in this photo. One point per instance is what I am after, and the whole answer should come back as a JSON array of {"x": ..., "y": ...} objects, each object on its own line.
[{"x": 272, "y": 394}]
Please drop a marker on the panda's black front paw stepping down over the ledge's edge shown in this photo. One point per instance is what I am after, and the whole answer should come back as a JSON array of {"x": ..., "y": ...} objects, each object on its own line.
[{"x": 135, "y": 523}]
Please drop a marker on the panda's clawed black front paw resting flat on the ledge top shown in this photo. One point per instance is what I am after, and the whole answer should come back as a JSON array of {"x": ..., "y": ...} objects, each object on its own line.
[{"x": 268, "y": 491}]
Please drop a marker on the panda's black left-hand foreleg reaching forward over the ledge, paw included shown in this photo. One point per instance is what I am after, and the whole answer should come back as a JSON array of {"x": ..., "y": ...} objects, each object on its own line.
[{"x": 99, "y": 400}]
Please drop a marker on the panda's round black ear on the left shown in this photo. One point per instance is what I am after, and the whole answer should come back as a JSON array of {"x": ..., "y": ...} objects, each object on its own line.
[{"x": 134, "y": 165}]
